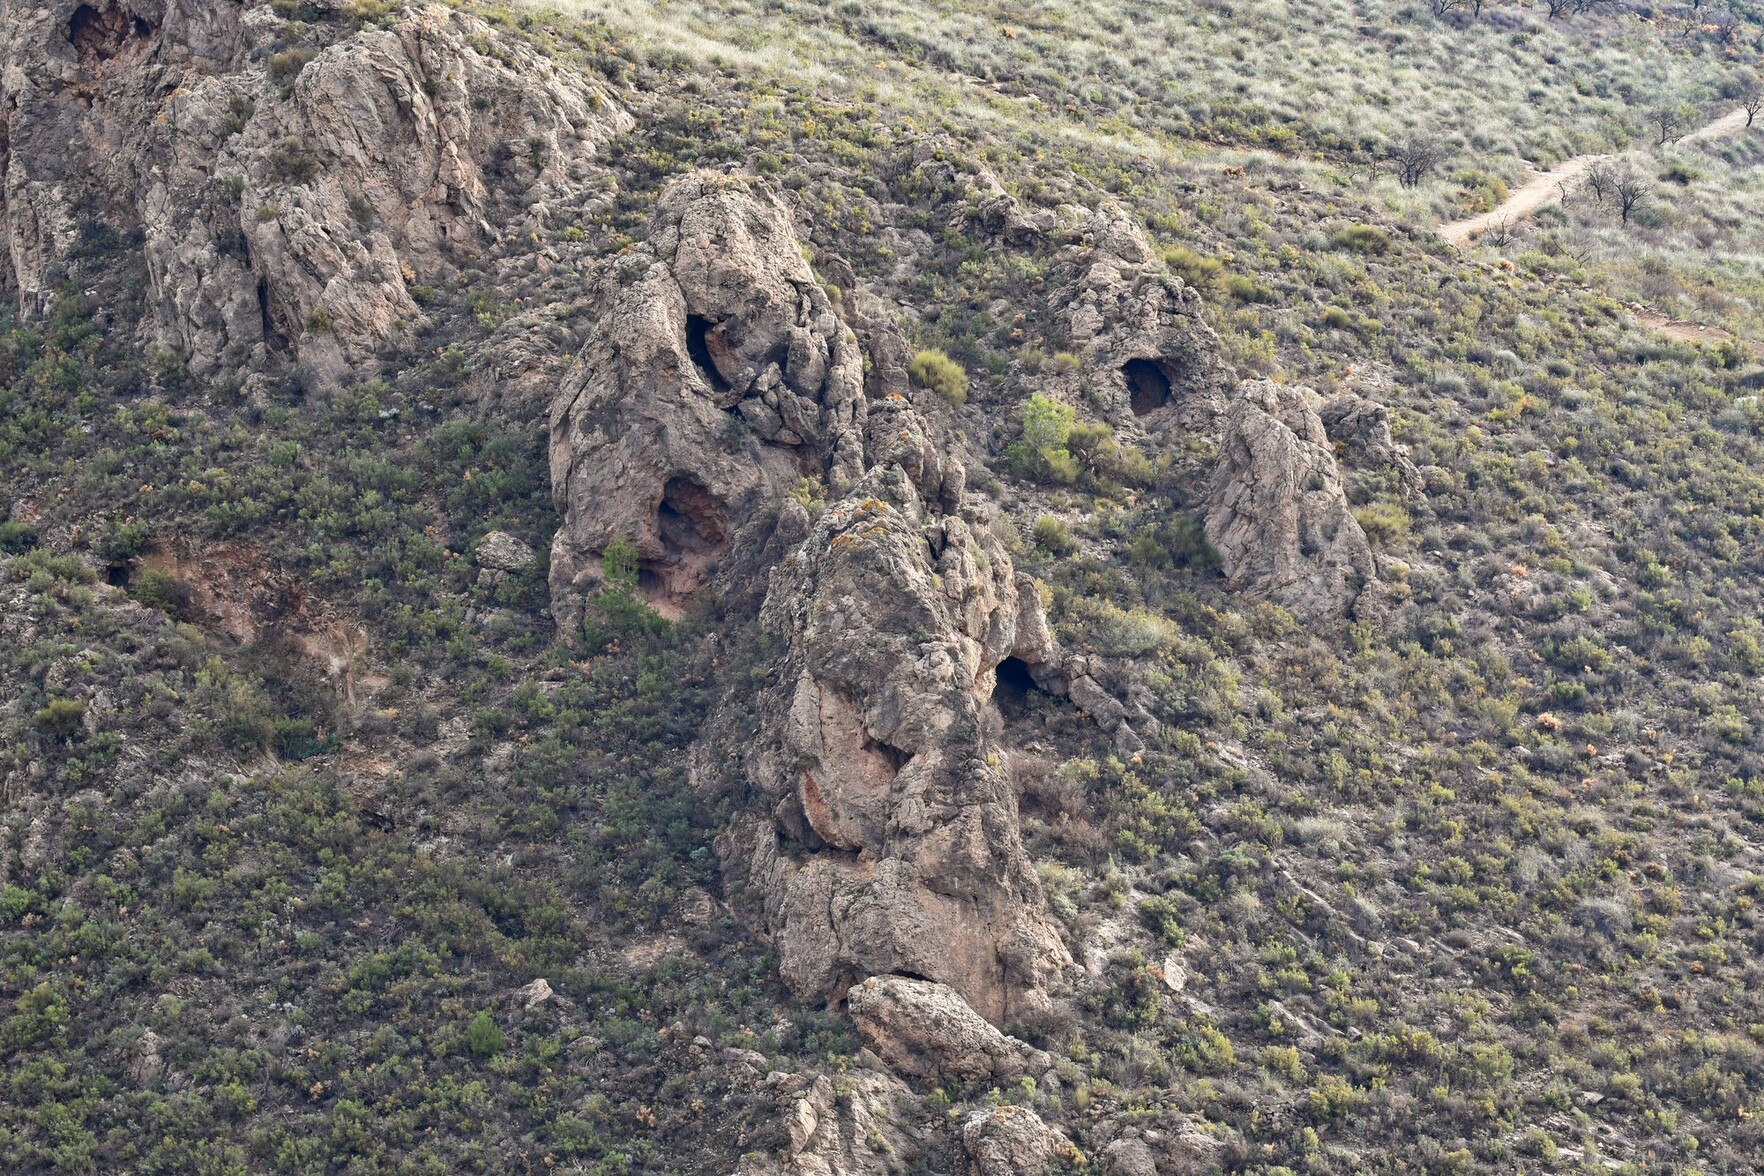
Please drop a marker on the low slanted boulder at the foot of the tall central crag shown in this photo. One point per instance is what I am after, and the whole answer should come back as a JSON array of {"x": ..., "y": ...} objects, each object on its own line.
[{"x": 927, "y": 1031}]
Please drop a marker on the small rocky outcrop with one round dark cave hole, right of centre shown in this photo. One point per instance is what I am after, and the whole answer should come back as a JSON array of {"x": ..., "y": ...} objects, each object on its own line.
[{"x": 1140, "y": 336}]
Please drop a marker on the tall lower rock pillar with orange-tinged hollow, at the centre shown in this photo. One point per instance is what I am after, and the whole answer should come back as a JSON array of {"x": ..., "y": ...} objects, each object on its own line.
[{"x": 893, "y": 844}]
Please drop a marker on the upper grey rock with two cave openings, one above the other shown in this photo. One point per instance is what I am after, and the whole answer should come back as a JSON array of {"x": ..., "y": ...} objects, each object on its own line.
[{"x": 717, "y": 380}]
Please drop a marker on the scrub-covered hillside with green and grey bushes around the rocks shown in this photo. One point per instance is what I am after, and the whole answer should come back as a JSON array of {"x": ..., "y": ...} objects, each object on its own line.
[{"x": 1430, "y": 881}]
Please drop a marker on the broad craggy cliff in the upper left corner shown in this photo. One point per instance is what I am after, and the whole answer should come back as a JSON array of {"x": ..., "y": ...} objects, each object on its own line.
[{"x": 290, "y": 200}]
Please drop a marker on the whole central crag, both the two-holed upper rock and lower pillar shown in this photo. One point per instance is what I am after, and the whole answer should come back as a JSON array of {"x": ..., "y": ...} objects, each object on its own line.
[{"x": 721, "y": 382}]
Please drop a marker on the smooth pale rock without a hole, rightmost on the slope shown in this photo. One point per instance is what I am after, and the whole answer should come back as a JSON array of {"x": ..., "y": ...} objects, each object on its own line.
[{"x": 1278, "y": 512}]
